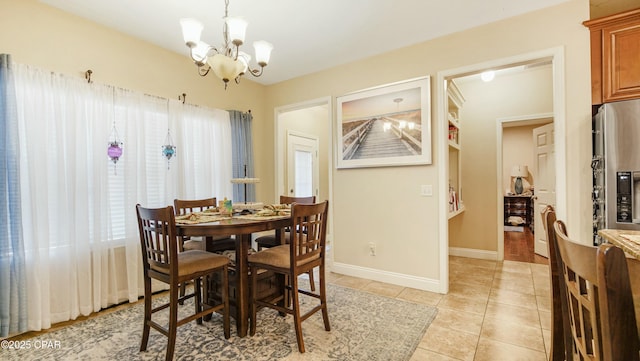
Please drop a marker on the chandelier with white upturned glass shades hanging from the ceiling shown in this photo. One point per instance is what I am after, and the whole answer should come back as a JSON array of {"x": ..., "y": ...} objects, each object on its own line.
[{"x": 227, "y": 61}]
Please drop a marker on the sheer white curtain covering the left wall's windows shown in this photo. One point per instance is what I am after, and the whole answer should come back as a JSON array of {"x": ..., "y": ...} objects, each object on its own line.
[{"x": 80, "y": 230}]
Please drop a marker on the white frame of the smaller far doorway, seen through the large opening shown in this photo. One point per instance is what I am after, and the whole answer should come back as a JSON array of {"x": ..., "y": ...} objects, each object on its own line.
[{"x": 500, "y": 125}]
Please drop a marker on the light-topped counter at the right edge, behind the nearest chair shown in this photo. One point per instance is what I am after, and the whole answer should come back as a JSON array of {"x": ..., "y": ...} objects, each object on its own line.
[{"x": 629, "y": 242}]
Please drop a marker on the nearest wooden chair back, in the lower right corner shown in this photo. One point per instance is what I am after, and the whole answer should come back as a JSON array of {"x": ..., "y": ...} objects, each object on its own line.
[{"x": 601, "y": 310}]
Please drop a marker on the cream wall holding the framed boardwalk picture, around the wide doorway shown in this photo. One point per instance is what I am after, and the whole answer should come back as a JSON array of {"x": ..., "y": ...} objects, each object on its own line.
[{"x": 383, "y": 205}]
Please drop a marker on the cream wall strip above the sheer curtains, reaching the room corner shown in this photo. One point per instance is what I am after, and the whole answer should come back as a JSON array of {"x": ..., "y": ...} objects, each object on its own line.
[{"x": 48, "y": 38}]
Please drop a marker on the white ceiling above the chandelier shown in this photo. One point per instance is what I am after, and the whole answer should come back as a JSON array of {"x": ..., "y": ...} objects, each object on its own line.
[{"x": 308, "y": 36}]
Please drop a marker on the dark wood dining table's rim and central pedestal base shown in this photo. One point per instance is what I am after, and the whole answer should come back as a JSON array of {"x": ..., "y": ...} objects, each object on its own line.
[{"x": 242, "y": 228}]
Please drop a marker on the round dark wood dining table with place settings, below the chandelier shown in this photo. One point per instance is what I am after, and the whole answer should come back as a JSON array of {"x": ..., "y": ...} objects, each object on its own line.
[{"x": 242, "y": 226}]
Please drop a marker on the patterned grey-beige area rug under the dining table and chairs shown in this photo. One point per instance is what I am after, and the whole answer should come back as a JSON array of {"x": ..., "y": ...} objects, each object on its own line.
[{"x": 364, "y": 326}]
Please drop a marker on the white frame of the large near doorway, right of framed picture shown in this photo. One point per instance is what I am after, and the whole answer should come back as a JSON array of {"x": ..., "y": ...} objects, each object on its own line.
[{"x": 556, "y": 56}]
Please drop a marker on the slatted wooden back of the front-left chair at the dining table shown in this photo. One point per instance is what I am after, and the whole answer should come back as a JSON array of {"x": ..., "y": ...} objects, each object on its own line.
[{"x": 159, "y": 242}]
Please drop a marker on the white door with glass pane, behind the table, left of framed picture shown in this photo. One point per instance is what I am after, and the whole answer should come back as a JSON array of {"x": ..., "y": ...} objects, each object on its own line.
[{"x": 302, "y": 165}]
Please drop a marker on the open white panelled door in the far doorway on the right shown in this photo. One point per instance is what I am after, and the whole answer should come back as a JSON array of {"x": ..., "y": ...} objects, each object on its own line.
[{"x": 545, "y": 185}]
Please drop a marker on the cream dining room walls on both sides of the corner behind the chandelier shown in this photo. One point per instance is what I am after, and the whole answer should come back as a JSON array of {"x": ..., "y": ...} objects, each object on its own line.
[{"x": 381, "y": 205}]
